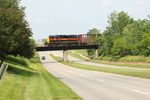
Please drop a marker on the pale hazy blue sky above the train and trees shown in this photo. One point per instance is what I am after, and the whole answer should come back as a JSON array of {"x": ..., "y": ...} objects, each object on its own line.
[{"x": 53, "y": 17}]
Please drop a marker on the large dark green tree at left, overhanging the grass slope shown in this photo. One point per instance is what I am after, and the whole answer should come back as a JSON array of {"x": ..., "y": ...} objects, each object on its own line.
[{"x": 15, "y": 33}]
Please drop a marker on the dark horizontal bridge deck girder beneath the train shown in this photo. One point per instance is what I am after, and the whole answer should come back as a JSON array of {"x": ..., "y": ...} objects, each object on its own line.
[{"x": 45, "y": 48}]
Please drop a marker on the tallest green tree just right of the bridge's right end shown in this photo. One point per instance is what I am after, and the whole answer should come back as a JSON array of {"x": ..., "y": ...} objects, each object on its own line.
[{"x": 117, "y": 22}]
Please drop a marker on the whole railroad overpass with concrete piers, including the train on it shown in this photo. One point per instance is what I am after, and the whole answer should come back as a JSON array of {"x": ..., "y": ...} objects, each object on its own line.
[{"x": 71, "y": 42}]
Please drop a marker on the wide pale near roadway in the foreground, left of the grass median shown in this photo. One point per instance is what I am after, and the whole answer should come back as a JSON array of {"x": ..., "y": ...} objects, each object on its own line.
[{"x": 92, "y": 85}]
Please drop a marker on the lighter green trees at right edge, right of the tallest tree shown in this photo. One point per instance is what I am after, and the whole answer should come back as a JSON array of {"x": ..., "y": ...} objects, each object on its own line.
[{"x": 135, "y": 35}]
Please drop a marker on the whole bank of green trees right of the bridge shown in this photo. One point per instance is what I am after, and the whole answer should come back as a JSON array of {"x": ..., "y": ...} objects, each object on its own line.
[{"x": 124, "y": 36}]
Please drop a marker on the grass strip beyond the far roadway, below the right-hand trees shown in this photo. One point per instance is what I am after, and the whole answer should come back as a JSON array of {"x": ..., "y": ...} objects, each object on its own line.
[{"x": 77, "y": 53}]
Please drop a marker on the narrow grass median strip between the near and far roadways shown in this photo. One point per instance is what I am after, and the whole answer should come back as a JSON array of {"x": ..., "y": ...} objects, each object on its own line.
[{"x": 129, "y": 72}]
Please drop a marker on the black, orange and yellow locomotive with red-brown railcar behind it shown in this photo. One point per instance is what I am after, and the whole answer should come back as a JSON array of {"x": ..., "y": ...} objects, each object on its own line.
[{"x": 72, "y": 40}]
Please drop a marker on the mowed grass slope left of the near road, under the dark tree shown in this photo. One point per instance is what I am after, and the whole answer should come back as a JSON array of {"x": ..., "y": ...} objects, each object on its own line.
[{"x": 33, "y": 82}]
